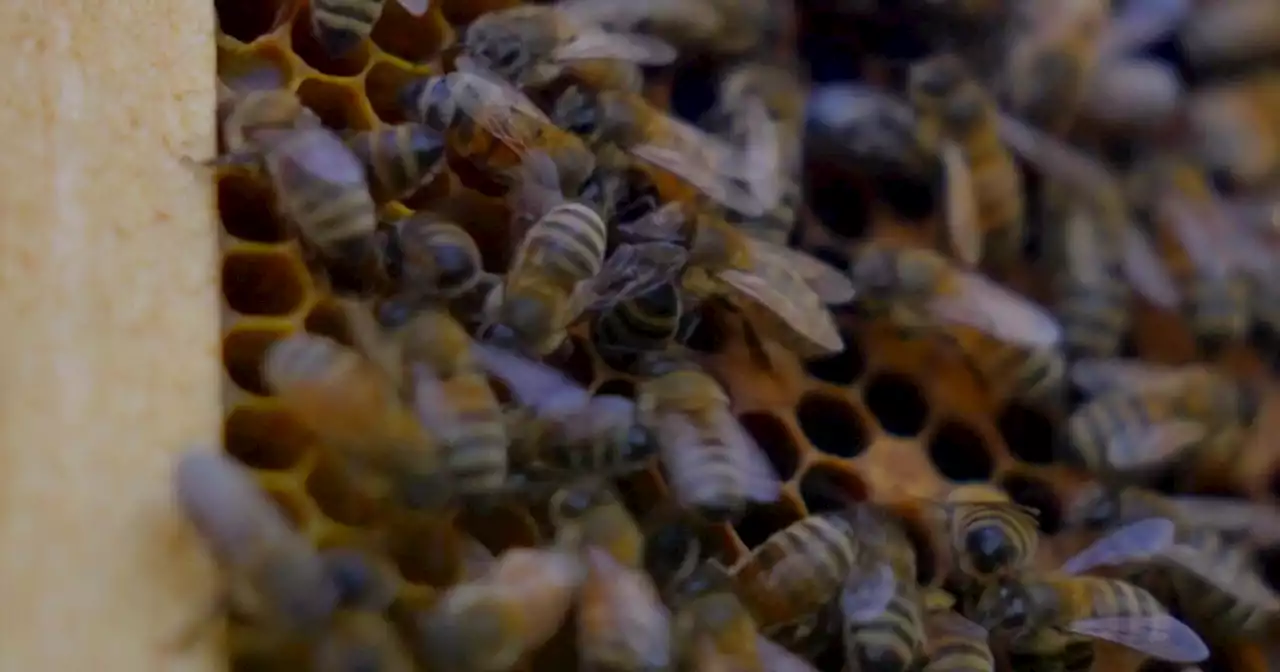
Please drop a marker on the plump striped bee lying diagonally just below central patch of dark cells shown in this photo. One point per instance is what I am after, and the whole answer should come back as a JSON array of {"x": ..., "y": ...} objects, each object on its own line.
[{"x": 797, "y": 572}]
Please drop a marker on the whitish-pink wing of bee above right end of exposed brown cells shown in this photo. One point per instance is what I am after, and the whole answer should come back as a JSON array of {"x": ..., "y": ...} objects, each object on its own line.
[{"x": 984, "y": 305}]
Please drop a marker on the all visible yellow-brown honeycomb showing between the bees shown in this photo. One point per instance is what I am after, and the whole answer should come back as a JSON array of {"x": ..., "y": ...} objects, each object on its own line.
[{"x": 886, "y": 420}]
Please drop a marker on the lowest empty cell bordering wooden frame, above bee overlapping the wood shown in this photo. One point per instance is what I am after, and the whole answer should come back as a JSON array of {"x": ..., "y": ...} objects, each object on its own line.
[{"x": 266, "y": 437}]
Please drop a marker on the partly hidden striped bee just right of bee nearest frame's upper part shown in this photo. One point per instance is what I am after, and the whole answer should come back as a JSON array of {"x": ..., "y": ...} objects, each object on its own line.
[{"x": 399, "y": 159}]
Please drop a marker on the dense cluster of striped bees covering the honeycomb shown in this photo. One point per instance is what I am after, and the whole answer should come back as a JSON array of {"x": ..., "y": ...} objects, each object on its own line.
[{"x": 632, "y": 226}]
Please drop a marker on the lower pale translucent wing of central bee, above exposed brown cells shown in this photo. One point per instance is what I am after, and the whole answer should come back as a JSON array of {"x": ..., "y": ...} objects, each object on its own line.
[{"x": 790, "y": 308}]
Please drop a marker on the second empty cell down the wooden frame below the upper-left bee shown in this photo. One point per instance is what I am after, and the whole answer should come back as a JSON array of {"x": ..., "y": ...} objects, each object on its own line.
[{"x": 263, "y": 282}]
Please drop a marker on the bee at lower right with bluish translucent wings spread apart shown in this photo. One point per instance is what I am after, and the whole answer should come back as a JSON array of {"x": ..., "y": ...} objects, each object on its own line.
[{"x": 1043, "y": 614}]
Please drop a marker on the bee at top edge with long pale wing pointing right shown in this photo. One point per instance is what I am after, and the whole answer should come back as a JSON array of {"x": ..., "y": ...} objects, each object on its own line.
[{"x": 533, "y": 47}]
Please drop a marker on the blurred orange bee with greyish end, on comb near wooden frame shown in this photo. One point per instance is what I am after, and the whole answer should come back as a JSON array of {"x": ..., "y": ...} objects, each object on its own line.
[{"x": 354, "y": 406}]
